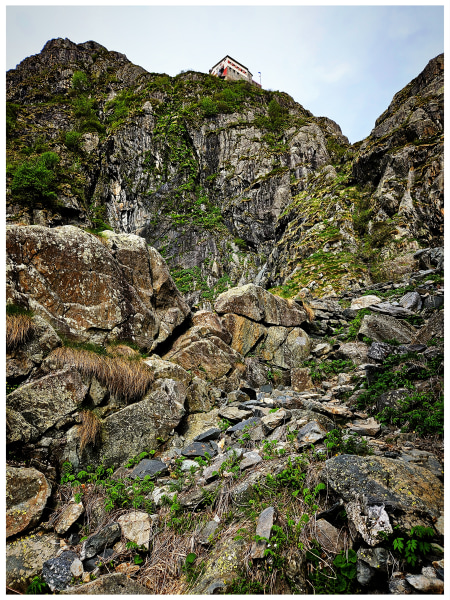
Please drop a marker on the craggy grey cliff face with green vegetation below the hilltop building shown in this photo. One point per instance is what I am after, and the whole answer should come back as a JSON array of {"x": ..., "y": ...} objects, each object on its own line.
[{"x": 231, "y": 183}]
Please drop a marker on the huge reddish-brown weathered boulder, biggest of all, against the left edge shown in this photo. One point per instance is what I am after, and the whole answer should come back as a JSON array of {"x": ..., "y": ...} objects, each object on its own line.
[{"x": 111, "y": 290}]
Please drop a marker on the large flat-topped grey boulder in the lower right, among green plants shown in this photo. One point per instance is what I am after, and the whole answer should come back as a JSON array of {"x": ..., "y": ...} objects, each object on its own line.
[{"x": 410, "y": 495}]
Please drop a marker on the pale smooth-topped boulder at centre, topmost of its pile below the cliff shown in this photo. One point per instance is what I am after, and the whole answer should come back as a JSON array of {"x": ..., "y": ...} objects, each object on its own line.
[{"x": 258, "y": 304}]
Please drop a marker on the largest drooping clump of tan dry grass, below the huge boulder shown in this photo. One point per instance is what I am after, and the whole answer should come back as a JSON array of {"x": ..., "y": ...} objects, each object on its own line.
[{"x": 127, "y": 379}]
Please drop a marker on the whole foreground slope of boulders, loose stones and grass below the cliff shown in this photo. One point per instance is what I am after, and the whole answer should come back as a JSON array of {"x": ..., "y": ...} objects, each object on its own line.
[{"x": 156, "y": 449}]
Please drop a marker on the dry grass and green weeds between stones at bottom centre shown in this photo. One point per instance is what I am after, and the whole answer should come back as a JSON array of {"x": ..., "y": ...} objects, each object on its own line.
[{"x": 176, "y": 561}]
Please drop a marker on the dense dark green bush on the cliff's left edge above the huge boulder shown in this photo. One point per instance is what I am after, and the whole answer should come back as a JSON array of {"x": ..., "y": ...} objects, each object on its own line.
[{"x": 34, "y": 180}]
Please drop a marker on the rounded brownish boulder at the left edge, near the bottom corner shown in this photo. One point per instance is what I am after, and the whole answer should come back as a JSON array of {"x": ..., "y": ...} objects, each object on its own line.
[{"x": 27, "y": 492}]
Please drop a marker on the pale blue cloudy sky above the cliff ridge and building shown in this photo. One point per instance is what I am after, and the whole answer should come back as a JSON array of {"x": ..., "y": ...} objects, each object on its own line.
[{"x": 342, "y": 62}]
